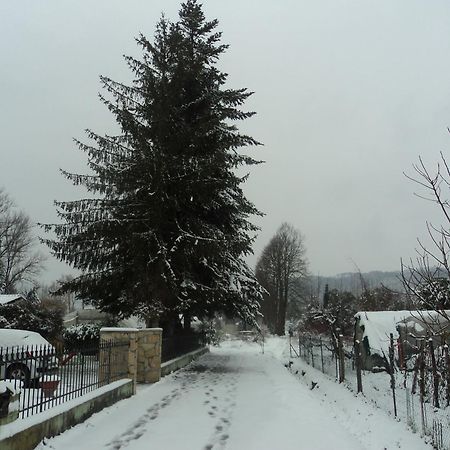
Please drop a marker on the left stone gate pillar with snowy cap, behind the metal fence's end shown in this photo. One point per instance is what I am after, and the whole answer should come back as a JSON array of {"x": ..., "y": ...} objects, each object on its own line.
[{"x": 118, "y": 359}]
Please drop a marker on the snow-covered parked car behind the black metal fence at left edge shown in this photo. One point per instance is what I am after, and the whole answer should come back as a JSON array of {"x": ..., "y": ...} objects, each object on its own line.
[{"x": 25, "y": 356}]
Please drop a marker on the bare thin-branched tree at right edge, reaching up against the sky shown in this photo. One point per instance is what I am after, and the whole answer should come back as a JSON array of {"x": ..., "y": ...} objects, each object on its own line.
[{"x": 426, "y": 278}]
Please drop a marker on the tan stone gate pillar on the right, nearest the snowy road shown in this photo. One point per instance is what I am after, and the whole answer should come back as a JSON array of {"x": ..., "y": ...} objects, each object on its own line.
[{"x": 149, "y": 355}]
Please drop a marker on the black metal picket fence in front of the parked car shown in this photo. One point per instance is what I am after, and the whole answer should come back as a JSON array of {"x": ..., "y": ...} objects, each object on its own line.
[{"x": 51, "y": 375}]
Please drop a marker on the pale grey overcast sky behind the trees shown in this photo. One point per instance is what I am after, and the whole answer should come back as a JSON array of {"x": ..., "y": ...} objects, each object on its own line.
[{"x": 348, "y": 95}]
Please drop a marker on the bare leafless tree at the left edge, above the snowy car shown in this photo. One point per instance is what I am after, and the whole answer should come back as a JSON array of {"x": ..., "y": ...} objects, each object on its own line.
[{"x": 19, "y": 261}]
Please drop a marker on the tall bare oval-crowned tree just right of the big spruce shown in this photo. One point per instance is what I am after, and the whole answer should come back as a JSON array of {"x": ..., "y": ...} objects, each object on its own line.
[{"x": 281, "y": 262}]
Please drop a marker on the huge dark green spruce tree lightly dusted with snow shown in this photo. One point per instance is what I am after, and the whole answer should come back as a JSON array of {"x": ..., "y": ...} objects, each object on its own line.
[{"x": 166, "y": 227}]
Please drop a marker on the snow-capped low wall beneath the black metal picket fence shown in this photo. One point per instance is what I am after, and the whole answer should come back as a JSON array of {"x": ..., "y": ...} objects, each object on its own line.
[{"x": 26, "y": 434}]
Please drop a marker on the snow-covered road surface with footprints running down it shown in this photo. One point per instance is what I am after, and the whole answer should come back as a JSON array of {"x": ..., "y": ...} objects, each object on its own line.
[{"x": 238, "y": 398}]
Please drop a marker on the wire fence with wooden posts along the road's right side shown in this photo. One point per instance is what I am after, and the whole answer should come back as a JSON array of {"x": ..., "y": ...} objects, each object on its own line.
[{"x": 410, "y": 382}]
